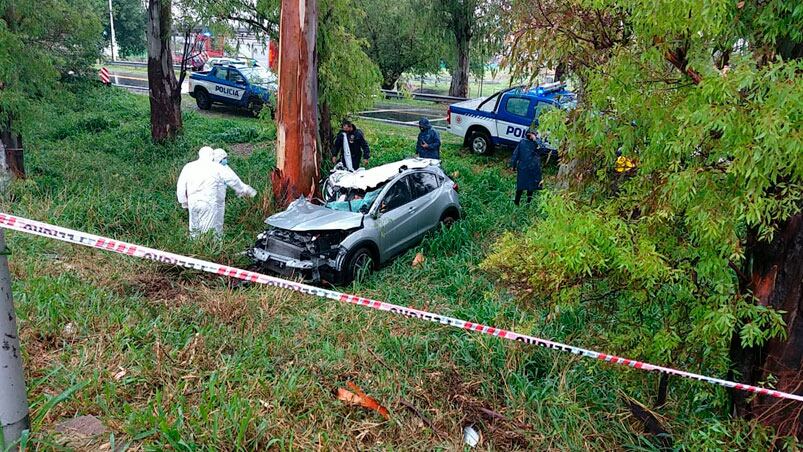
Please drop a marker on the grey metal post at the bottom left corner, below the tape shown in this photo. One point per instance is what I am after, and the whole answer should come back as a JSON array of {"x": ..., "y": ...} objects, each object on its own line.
[{"x": 13, "y": 401}]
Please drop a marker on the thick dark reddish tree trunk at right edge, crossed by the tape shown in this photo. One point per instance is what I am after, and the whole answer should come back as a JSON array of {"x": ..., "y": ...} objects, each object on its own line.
[{"x": 776, "y": 280}]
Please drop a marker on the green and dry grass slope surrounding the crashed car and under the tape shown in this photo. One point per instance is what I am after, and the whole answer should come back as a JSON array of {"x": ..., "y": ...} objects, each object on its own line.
[{"x": 169, "y": 357}]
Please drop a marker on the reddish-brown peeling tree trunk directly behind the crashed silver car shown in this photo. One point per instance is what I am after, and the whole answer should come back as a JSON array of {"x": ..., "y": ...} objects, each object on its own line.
[{"x": 297, "y": 160}]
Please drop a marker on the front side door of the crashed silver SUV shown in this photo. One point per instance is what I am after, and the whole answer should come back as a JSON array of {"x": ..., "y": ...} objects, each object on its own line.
[{"x": 396, "y": 223}]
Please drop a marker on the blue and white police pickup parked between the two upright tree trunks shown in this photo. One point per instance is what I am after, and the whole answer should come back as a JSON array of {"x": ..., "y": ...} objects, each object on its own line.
[{"x": 235, "y": 85}]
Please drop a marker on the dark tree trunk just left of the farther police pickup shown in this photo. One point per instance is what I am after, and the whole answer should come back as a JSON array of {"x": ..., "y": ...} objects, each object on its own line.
[{"x": 165, "y": 92}]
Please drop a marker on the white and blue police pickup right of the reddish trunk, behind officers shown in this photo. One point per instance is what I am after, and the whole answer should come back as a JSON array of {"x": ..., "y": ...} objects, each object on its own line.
[{"x": 503, "y": 118}]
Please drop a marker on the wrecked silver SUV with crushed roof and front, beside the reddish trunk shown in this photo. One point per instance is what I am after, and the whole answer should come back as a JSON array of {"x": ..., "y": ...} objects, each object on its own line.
[{"x": 366, "y": 218}]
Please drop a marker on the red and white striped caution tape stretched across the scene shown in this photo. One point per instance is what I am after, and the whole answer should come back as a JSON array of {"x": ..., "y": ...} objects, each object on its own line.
[{"x": 20, "y": 224}]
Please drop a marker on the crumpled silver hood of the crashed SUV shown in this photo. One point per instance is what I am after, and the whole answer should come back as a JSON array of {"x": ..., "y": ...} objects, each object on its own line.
[{"x": 301, "y": 215}]
